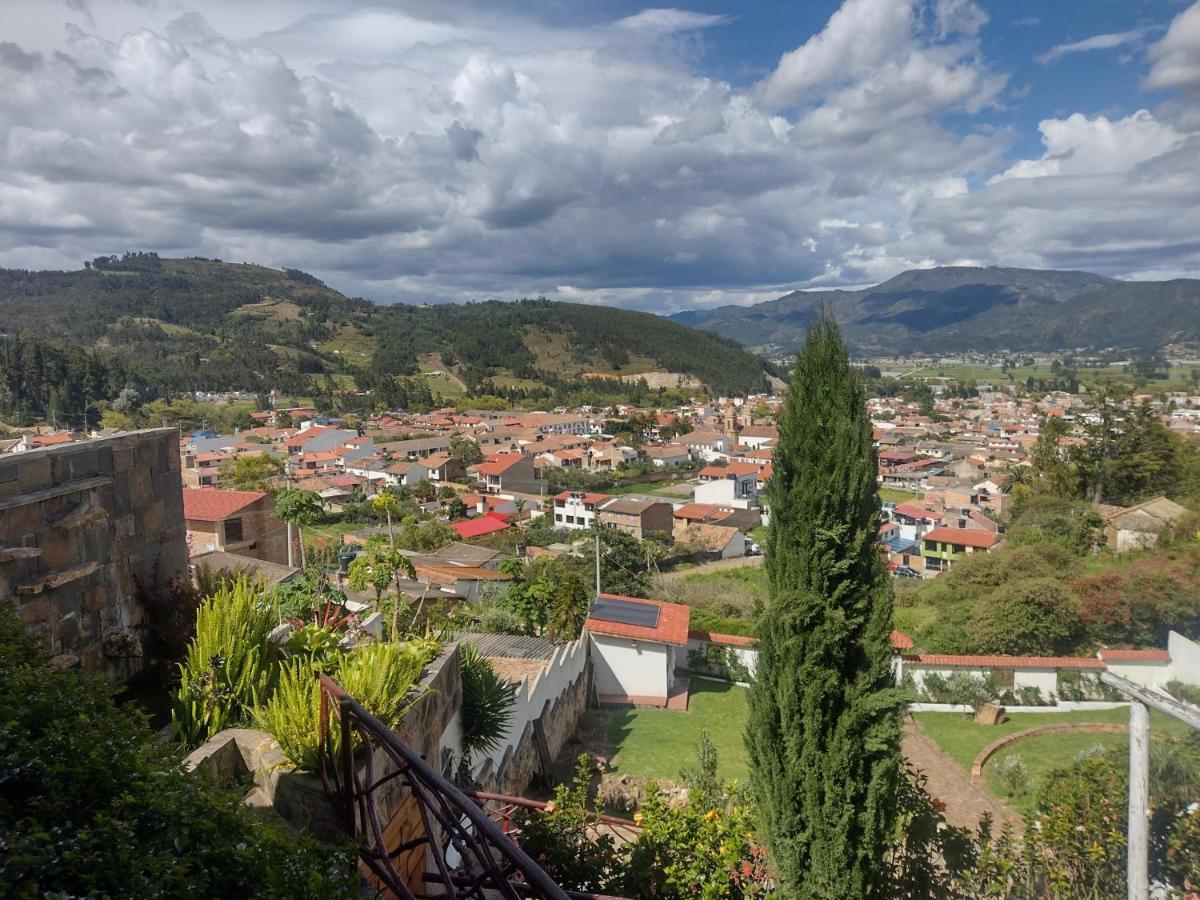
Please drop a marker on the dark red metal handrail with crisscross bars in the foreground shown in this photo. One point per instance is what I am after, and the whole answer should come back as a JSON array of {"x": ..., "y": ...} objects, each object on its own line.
[{"x": 484, "y": 862}]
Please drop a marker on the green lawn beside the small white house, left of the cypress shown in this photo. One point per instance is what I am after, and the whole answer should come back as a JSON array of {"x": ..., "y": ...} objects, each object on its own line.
[{"x": 659, "y": 743}]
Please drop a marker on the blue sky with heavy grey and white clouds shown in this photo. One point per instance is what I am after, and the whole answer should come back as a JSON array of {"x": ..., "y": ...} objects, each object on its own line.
[{"x": 610, "y": 153}]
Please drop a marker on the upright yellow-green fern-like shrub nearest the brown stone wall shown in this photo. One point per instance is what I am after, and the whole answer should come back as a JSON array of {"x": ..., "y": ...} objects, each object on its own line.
[{"x": 231, "y": 665}]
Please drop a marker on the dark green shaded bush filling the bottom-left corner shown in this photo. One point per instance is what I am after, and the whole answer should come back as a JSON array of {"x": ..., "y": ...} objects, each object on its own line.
[{"x": 95, "y": 806}]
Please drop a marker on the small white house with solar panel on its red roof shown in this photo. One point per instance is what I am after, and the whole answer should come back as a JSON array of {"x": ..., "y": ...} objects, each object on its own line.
[{"x": 637, "y": 647}]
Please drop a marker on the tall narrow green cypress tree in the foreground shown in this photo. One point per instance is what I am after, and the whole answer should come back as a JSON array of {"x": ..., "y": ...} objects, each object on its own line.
[{"x": 824, "y": 734}]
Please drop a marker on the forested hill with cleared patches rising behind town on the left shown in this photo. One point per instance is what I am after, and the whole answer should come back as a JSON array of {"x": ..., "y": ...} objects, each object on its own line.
[{"x": 161, "y": 327}]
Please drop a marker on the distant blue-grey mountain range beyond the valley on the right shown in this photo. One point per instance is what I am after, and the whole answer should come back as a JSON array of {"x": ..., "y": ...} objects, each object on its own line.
[{"x": 958, "y": 309}]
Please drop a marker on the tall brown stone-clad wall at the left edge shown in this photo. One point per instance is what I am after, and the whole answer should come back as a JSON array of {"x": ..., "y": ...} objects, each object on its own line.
[{"x": 82, "y": 527}]
